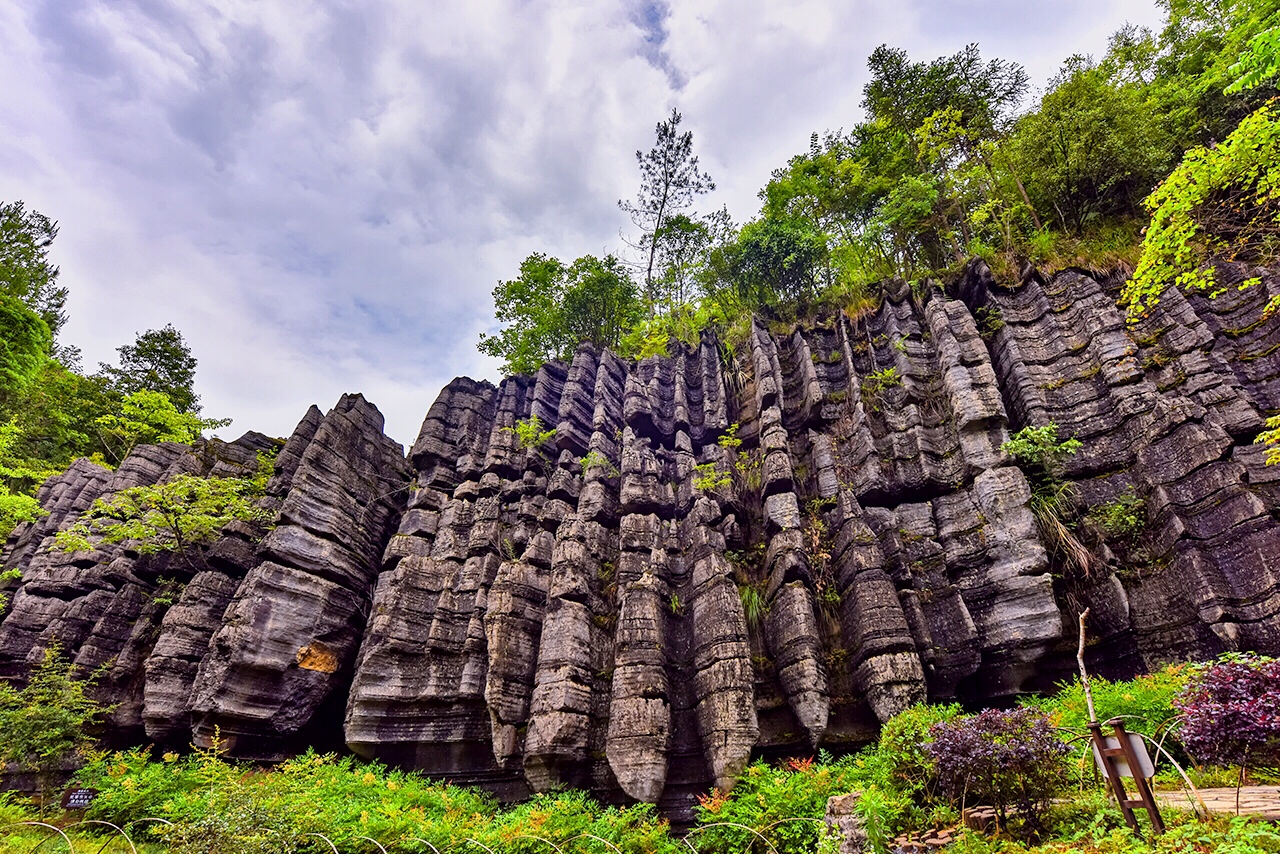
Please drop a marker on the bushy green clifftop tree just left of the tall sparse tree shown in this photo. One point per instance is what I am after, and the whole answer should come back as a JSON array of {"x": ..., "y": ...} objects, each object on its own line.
[{"x": 551, "y": 309}]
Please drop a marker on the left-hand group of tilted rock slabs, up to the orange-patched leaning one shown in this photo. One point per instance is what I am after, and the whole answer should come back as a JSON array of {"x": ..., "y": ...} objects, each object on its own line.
[{"x": 253, "y": 637}]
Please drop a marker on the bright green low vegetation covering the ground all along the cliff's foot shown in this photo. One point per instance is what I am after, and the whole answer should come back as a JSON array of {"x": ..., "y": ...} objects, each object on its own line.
[{"x": 220, "y": 806}]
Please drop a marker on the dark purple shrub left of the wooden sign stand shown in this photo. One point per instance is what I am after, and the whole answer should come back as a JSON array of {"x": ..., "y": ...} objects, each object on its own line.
[{"x": 1009, "y": 759}]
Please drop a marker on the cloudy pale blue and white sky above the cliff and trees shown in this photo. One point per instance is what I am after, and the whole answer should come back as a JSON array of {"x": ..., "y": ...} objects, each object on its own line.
[{"x": 322, "y": 197}]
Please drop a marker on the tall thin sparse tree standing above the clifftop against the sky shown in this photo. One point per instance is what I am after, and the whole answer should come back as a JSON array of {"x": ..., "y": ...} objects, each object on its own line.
[{"x": 670, "y": 180}]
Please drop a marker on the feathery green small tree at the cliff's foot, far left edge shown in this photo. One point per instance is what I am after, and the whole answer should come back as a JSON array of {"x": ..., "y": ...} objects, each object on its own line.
[{"x": 47, "y": 725}]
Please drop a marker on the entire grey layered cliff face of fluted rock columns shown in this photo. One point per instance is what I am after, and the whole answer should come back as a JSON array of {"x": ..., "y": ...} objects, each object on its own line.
[{"x": 715, "y": 556}]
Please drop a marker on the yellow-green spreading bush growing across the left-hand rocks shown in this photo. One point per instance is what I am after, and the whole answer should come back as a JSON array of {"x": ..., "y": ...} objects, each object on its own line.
[{"x": 172, "y": 517}]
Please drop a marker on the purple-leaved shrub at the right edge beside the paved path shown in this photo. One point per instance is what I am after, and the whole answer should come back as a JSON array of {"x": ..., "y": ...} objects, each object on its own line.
[{"x": 1231, "y": 713}]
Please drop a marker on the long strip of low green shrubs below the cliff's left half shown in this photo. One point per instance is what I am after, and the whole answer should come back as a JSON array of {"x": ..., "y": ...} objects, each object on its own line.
[{"x": 228, "y": 807}]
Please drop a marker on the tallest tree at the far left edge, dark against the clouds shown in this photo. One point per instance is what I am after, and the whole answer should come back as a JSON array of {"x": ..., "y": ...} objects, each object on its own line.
[{"x": 26, "y": 273}]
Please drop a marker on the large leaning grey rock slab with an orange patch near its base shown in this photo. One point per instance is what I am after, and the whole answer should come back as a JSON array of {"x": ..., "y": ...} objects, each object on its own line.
[{"x": 290, "y": 638}]
